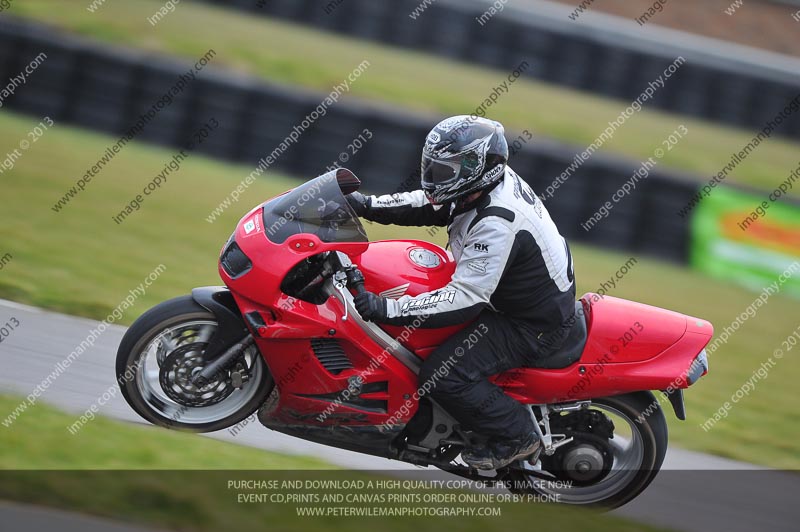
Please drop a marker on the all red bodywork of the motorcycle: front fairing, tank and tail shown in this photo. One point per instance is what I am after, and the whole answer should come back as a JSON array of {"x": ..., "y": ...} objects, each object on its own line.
[{"x": 630, "y": 346}]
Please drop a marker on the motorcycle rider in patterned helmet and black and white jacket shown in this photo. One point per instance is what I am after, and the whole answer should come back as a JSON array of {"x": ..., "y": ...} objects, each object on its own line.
[{"x": 513, "y": 276}]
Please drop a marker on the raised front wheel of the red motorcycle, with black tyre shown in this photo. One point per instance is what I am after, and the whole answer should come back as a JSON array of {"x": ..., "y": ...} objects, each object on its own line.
[{"x": 162, "y": 351}]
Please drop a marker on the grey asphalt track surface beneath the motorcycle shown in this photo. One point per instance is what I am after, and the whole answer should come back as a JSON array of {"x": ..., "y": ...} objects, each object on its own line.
[{"x": 694, "y": 492}]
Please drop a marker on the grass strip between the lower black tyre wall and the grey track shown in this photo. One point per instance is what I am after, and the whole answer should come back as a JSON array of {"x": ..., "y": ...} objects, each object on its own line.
[{"x": 80, "y": 262}]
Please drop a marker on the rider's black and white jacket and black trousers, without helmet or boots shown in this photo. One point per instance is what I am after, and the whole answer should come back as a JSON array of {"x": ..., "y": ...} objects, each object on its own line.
[{"x": 514, "y": 277}]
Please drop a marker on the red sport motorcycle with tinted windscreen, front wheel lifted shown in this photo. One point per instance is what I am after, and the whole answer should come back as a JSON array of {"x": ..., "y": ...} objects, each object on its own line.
[{"x": 282, "y": 337}]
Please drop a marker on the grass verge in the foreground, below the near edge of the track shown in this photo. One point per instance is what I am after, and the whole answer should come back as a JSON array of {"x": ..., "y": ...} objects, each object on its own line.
[{"x": 162, "y": 478}]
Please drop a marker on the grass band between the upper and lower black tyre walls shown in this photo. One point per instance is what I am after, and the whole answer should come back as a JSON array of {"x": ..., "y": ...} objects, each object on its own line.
[{"x": 298, "y": 55}]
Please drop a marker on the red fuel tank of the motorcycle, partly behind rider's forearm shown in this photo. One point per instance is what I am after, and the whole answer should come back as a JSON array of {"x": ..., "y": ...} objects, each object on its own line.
[{"x": 394, "y": 268}]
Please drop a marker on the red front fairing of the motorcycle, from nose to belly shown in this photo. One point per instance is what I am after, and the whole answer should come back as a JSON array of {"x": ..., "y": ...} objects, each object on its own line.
[{"x": 291, "y": 325}]
